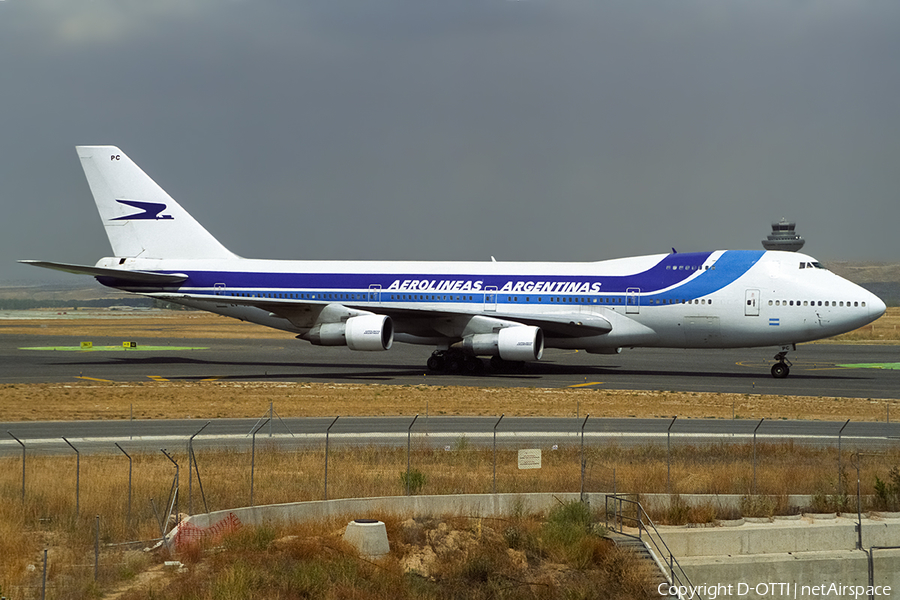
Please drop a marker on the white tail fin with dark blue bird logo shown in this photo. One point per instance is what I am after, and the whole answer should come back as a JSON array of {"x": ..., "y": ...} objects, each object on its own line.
[{"x": 140, "y": 218}]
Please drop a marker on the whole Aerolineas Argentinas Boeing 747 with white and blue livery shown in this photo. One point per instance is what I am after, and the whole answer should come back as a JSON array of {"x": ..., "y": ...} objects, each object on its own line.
[{"x": 505, "y": 311}]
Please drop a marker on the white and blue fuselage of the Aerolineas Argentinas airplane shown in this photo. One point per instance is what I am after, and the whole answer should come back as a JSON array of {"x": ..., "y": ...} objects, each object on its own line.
[{"x": 720, "y": 299}]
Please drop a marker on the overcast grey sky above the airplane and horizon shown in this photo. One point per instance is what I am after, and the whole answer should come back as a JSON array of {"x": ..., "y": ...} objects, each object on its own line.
[{"x": 458, "y": 129}]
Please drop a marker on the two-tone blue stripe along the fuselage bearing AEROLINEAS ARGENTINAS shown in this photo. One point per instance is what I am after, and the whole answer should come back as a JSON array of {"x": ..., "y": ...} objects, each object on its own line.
[{"x": 674, "y": 279}]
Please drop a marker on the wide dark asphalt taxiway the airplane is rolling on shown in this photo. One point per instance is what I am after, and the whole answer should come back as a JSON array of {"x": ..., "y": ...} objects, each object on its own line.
[{"x": 853, "y": 371}]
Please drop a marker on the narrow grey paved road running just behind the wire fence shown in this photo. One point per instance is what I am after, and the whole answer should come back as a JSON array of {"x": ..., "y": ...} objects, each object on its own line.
[{"x": 435, "y": 432}]
